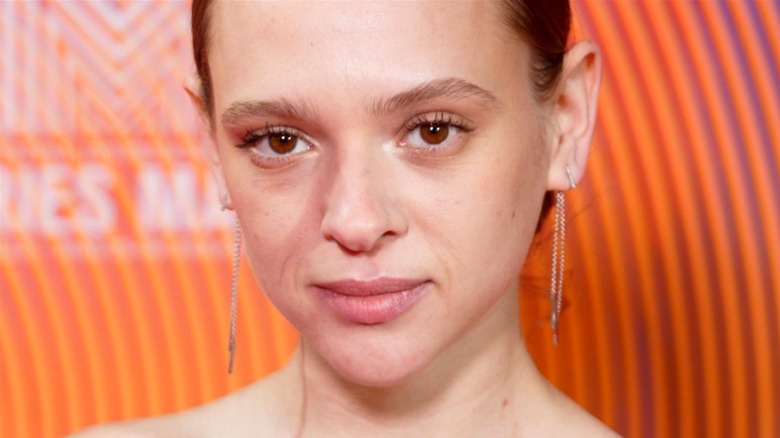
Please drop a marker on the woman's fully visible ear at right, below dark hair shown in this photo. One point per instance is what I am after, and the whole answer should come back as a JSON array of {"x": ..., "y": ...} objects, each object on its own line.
[{"x": 574, "y": 114}]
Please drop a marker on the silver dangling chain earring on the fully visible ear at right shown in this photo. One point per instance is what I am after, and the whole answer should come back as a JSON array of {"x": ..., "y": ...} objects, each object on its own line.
[{"x": 558, "y": 257}]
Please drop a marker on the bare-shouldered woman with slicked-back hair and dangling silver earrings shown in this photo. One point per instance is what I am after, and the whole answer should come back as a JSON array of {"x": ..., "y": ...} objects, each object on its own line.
[{"x": 387, "y": 162}]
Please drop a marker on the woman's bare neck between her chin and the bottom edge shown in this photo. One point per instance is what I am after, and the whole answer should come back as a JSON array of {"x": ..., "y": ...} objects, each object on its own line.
[{"x": 484, "y": 382}]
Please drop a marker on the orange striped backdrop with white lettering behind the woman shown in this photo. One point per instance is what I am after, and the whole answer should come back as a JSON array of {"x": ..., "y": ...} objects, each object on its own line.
[{"x": 115, "y": 261}]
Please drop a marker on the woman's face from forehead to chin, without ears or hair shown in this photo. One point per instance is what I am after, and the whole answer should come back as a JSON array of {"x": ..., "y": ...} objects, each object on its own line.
[{"x": 389, "y": 174}]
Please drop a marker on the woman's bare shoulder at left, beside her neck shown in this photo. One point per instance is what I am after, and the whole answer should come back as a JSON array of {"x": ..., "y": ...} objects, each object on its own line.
[{"x": 260, "y": 409}]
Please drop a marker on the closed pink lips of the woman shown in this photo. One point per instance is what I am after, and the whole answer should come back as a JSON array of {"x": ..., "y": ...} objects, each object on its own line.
[{"x": 374, "y": 301}]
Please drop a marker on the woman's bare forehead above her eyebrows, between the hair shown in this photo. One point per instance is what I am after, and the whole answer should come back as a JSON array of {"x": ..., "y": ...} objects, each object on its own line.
[{"x": 290, "y": 47}]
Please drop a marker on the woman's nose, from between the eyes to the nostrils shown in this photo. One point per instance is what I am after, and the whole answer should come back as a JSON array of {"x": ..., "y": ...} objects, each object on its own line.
[{"x": 362, "y": 211}]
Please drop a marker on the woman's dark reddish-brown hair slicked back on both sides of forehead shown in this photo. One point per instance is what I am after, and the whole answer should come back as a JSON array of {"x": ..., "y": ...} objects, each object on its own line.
[{"x": 542, "y": 24}]
